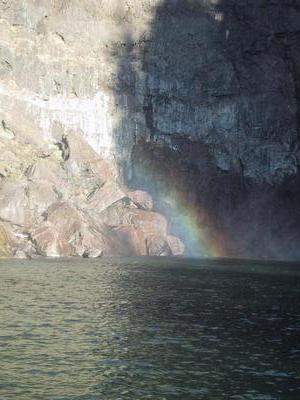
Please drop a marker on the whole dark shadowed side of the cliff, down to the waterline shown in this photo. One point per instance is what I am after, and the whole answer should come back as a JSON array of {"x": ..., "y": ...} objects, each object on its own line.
[{"x": 221, "y": 100}]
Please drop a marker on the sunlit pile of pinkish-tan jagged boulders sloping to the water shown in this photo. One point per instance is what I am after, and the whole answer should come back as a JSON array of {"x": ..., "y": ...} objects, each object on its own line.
[{"x": 57, "y": 206}]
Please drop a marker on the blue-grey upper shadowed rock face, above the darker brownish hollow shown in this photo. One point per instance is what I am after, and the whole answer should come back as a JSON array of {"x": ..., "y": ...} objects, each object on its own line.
[{"x": 225, "y": 73}]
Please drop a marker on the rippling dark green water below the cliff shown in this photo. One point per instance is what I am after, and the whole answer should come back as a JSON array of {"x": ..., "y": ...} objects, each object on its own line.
[{"x": 149, "y": 329}]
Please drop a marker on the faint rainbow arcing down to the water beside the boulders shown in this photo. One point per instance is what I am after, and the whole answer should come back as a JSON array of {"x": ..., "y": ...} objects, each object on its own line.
[{"x": 194, "y": 226}]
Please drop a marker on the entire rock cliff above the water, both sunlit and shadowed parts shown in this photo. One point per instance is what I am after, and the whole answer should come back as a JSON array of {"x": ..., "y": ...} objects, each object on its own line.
[{"x": 193, "y": 101}]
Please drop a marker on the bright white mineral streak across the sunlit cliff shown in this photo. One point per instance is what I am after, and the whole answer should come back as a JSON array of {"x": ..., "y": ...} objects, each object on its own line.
[{"x": 90, "y": 115}]
